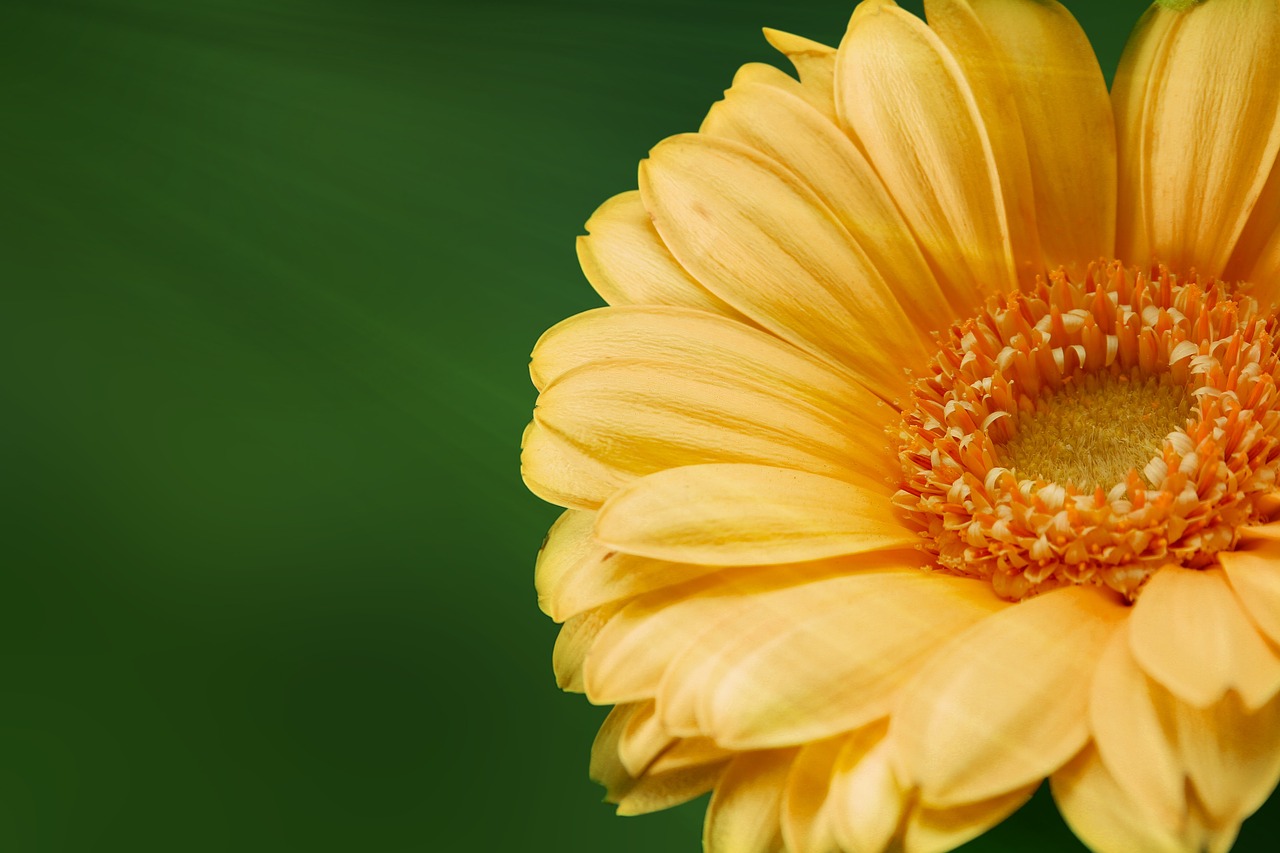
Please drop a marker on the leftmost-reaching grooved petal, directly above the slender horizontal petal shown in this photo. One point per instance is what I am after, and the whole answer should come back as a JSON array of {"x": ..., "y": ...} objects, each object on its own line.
[{"x": 611, "y": 422}]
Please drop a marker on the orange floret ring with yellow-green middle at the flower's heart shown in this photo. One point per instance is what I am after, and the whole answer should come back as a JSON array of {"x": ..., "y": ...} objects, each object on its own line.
[{"x": 1091, "y": 432}]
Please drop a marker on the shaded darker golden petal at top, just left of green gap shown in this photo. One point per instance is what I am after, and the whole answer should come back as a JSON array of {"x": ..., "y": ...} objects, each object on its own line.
[{"x": 1067, "y": 120}]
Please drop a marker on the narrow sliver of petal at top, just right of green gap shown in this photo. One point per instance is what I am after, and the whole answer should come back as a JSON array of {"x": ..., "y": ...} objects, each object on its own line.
[{"x": 1144, "y": 63}]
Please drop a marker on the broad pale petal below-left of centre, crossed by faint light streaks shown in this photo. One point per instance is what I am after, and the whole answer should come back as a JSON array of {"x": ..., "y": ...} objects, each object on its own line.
[{"x": 835, "y": 664}]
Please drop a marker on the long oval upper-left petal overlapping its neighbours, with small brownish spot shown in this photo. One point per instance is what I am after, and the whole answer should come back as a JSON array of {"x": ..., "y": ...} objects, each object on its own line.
[{"x": 757, "y": 238}]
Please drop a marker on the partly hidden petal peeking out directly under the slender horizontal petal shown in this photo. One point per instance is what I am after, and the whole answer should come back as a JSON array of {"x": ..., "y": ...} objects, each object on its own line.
[{"x": 575, "y": 573}]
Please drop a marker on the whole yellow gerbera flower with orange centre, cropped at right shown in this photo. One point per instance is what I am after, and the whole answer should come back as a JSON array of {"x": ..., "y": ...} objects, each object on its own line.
[{"x": 929, "y": 446}]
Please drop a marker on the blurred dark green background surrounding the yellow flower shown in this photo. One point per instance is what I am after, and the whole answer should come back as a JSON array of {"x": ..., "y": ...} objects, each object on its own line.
[{"x": 272, "y": 273}]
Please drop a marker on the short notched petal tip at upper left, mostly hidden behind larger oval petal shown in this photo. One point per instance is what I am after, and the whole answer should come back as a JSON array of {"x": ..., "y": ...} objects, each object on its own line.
[{"x": 627, "y": 262}]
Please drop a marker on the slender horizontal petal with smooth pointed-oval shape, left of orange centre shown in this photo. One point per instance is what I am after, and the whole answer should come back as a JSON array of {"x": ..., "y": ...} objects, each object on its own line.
[{"x": 748, "y": 516}]
